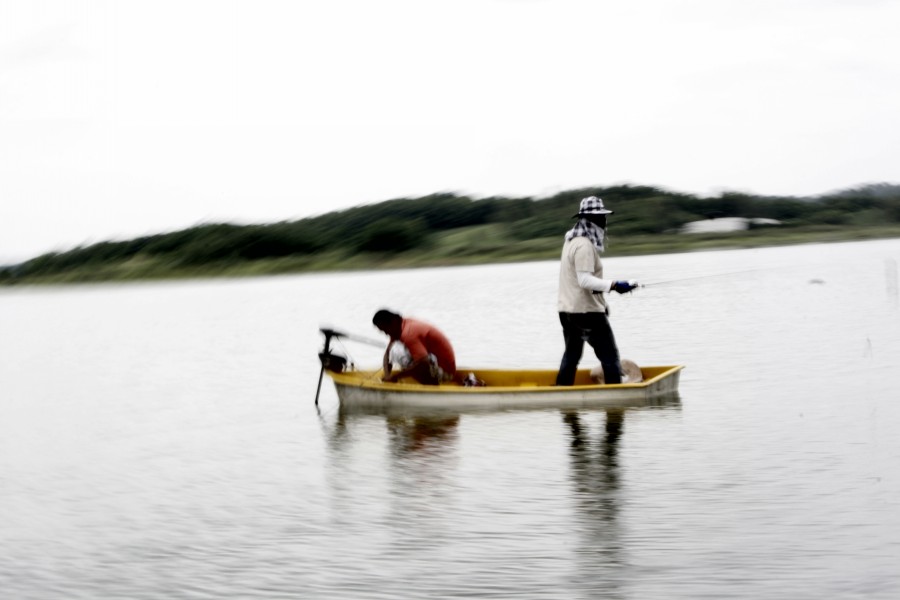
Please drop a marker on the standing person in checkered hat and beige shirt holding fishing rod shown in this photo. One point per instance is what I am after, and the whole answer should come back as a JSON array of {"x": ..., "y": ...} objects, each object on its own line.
[{"x": 582, "y": 307}]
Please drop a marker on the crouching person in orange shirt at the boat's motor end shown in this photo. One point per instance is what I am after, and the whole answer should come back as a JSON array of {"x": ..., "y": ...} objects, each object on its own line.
[{"x": 422, "y": 350}]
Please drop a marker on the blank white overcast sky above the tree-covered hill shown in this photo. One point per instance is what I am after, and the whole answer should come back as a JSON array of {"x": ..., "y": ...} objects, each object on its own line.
[{"x": 120, "y": 118}]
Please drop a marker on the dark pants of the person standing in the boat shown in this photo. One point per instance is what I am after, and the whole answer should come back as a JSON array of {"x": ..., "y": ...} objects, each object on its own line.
[{"x": 594, "y": 329}]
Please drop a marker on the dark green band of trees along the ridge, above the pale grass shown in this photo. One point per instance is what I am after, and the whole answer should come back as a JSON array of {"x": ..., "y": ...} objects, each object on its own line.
[{"x": 414, "y": 224}]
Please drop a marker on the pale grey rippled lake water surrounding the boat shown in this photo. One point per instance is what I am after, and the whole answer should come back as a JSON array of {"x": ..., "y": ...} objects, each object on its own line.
[{"x": 160, "y": 440}]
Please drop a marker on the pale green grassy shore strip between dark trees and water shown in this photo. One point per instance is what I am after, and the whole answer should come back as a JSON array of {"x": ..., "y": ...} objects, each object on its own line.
[{"x": 143, "y": 269}]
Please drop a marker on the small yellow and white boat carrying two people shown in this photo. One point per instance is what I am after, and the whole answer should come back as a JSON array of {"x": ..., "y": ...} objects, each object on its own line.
[{"x": 505, "y": 389}]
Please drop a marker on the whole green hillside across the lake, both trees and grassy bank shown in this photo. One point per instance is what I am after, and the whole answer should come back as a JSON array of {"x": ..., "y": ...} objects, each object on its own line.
[{"x": 447, "y": 229}]
